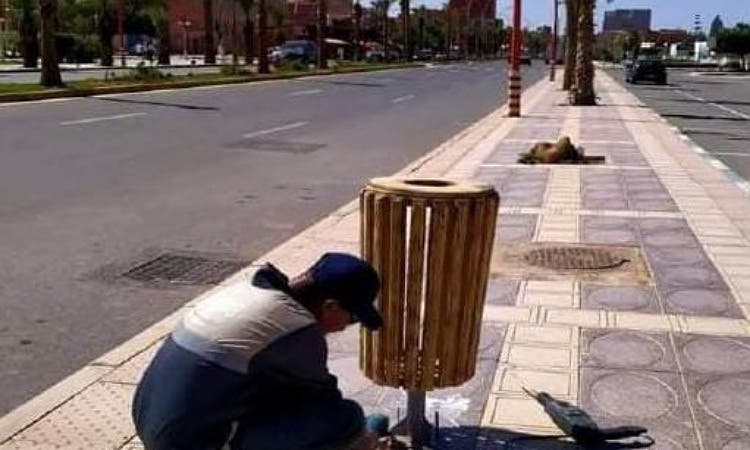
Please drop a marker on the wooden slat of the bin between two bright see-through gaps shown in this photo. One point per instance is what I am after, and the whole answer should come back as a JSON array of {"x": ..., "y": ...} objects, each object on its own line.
[{"x": 414, "y": 290}]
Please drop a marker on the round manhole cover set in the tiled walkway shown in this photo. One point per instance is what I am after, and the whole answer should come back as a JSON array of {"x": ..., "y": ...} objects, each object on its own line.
[{"x": 570, "y": 258}]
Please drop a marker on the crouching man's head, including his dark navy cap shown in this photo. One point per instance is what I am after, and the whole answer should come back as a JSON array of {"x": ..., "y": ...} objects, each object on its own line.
[{"x": 340, "y": 290}]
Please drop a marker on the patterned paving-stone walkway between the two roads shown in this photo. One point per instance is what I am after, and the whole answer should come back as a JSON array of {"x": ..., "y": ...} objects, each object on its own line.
[{"x": 661, "y": 341}]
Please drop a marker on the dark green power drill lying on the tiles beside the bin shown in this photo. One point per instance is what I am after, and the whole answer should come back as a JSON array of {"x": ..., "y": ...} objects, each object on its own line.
[{"x": 576, "y": 423}]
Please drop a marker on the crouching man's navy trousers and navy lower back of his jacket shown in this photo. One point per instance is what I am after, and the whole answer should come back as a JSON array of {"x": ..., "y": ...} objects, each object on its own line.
[{"x": 186, "y": 402}]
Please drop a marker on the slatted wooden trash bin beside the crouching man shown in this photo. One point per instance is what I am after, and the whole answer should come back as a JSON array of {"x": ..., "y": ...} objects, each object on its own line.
[{"x": 431, "y": 241}]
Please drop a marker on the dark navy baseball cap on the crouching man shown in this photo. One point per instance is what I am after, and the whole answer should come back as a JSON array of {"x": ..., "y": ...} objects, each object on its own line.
[{"x": 352, "y": 282}]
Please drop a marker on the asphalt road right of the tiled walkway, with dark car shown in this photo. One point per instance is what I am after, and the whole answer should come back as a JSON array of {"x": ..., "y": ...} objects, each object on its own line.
[{"x": 714, "y": 110}]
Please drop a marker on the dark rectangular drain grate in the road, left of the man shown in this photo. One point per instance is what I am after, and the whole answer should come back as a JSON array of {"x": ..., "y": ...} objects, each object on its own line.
[{"x": 183, "y": 269}]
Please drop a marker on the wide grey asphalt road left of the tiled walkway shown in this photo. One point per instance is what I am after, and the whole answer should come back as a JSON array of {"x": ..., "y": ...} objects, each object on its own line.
[{"x": 92, "y": 187}]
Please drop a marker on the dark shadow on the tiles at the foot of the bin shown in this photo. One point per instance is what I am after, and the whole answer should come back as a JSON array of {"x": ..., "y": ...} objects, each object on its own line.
[{"x": 483, "y": 438}]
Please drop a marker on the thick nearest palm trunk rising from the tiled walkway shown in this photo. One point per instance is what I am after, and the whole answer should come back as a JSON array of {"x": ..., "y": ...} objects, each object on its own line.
[{"x": 583, "y": 93}]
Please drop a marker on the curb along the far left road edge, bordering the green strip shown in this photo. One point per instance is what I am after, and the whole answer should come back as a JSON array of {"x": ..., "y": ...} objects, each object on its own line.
[{"x": 142, "y": 87}]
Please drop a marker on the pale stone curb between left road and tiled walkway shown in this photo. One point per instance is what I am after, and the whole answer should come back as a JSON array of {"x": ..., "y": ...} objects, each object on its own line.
[{"x": 47, "y": 401}]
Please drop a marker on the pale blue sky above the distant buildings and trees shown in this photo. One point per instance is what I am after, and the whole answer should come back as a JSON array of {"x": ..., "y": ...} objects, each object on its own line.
[{"x": 664, "y": 13}]
